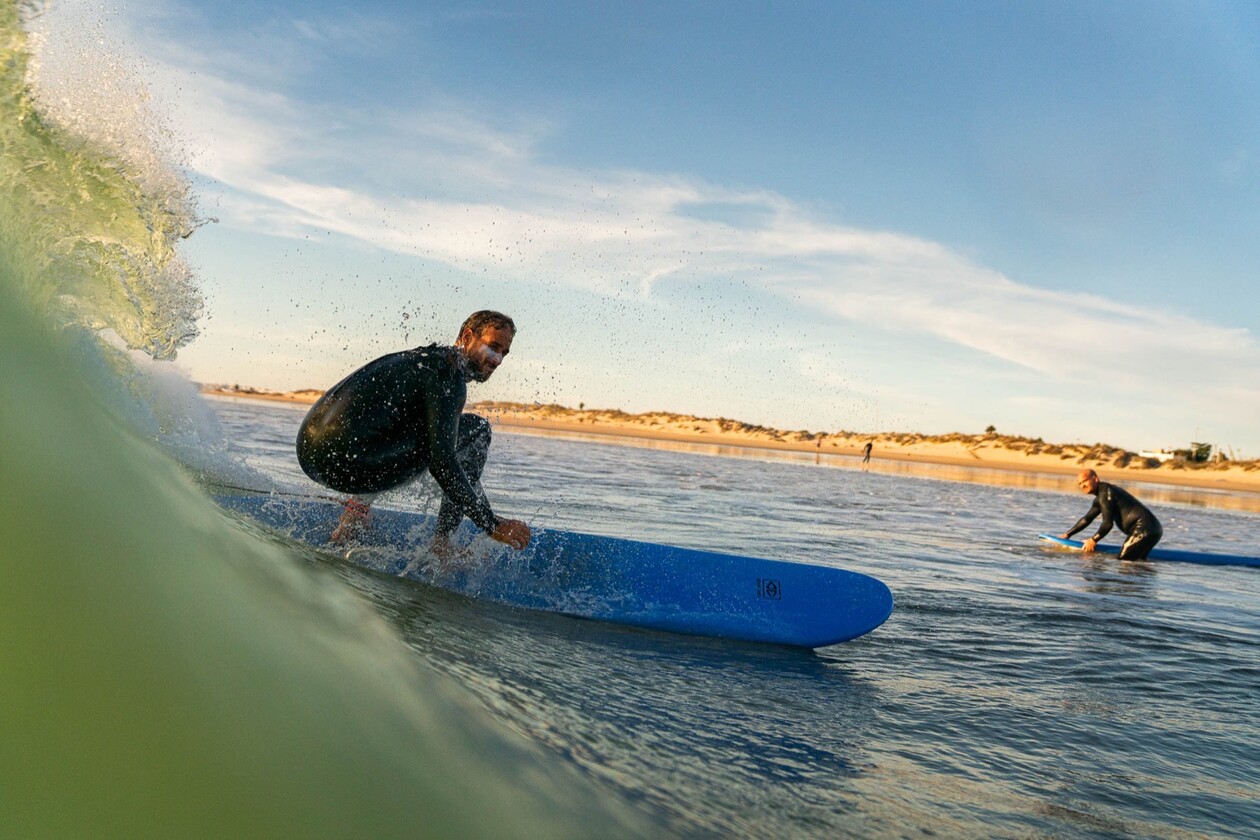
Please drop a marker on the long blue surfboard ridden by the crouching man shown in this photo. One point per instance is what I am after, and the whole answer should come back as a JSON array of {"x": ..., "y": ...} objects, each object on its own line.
[{"x": 605, "y": 579}]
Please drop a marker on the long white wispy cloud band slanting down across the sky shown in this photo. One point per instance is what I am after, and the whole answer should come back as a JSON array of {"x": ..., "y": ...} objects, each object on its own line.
[{"x": 497, "y": 207}]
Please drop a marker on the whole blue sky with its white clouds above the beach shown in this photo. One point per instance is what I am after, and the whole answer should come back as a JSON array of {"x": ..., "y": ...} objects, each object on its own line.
[{"x": 831, "y": 216}]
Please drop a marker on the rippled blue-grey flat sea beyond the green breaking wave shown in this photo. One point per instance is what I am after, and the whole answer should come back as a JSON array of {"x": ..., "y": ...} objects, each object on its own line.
[{"x": 1015, "y": 692}]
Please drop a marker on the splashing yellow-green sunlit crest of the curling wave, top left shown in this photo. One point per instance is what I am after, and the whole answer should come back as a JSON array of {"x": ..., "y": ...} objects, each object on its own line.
[{"x": 89, "y": 236}]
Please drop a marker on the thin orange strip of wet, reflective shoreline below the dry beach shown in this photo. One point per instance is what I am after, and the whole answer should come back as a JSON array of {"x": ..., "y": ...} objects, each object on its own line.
[{"x": 1021, "y": 479}]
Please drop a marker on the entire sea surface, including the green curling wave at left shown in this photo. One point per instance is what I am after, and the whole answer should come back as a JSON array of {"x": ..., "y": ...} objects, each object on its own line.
[{"x": 169, "y": 672}]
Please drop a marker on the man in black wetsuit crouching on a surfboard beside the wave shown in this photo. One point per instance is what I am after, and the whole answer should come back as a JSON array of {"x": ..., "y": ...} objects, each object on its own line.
[{"x": 403, "y": 415}]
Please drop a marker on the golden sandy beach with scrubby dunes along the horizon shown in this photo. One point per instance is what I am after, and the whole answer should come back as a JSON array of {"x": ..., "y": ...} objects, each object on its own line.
[{"x": 1001, "y": 453}]
